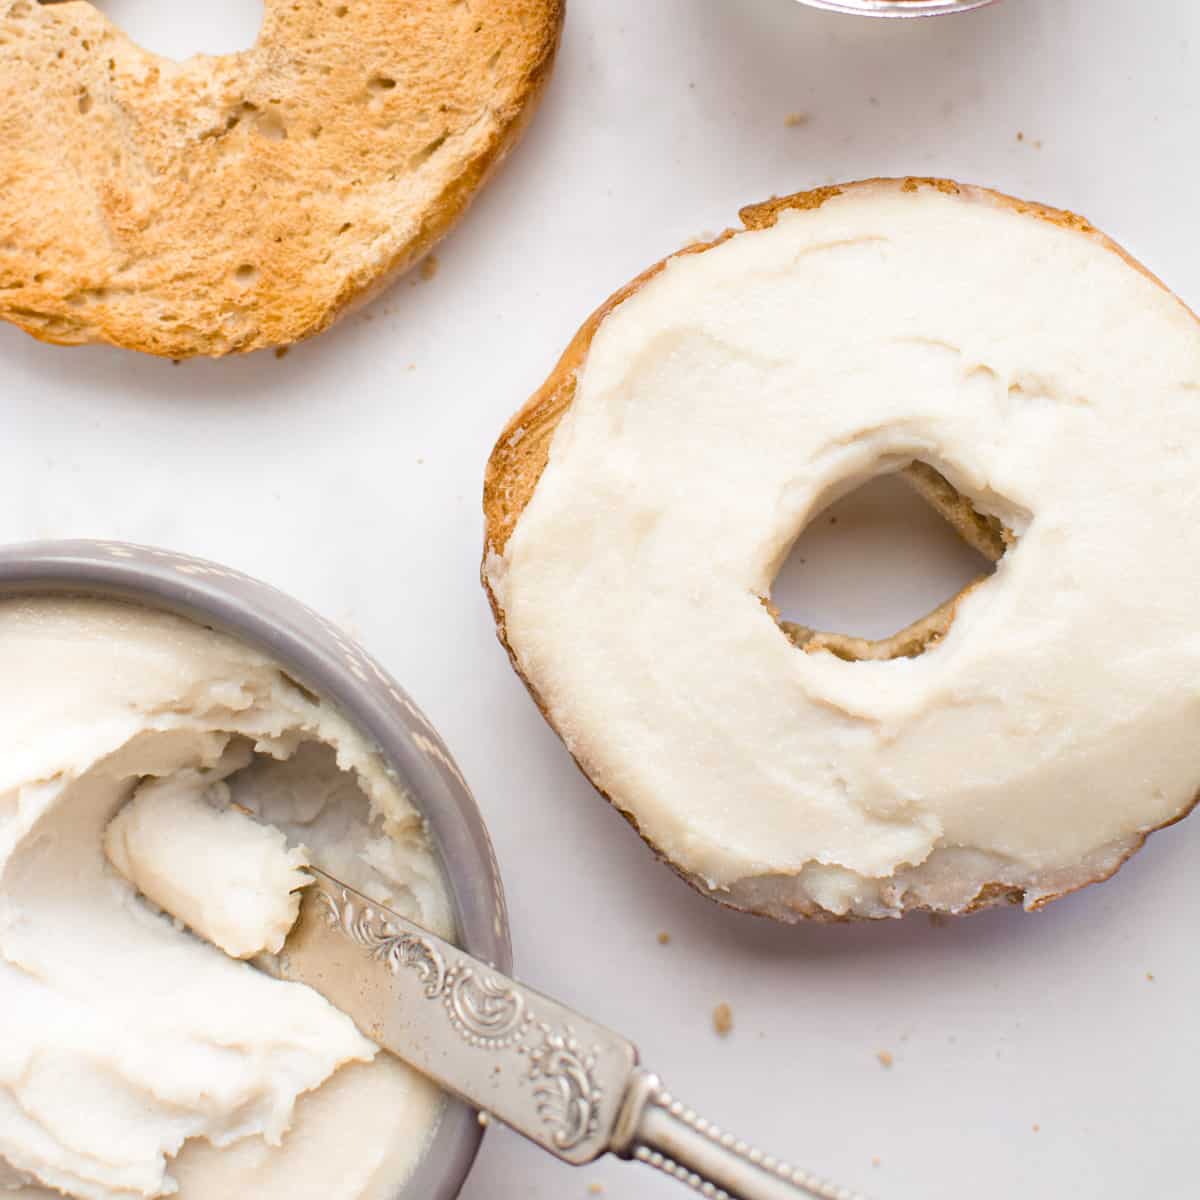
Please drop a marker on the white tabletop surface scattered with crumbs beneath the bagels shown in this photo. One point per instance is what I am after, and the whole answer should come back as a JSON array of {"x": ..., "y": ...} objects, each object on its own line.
[{"x": 1033, "y": 1055}]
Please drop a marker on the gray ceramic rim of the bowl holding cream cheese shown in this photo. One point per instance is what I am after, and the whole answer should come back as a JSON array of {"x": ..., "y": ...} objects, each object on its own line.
[{"x": 332, "y": 665}]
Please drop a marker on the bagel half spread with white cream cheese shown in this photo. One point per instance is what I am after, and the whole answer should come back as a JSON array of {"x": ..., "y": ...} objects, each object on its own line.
[{"x": 1037, "y": 386}]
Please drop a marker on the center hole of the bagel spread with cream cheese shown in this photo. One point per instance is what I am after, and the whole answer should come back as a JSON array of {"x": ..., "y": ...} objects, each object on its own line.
[{"x": 867, "y": 573}]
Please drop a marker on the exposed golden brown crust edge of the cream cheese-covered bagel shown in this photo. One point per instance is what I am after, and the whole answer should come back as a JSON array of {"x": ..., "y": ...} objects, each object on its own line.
[{"x": 520, "y": 458}]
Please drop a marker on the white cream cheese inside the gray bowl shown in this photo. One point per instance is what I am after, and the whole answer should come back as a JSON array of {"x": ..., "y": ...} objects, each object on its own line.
[{"x": 140, "y": 1060}]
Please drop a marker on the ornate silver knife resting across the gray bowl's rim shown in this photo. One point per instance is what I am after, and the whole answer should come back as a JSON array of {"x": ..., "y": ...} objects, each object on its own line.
[{"x": 551, "y": 1075}]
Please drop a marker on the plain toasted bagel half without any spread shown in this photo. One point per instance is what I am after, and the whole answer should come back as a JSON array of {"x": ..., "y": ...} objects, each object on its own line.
[{"x": 236, "y": 202}]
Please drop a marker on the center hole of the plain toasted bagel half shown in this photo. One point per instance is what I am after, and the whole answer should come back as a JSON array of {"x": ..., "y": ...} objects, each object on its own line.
[{"x": 181, "y": 31}]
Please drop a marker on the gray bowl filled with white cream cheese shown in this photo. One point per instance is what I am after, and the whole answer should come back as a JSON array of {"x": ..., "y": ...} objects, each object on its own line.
[{"x": 140, "y": 1060}]
